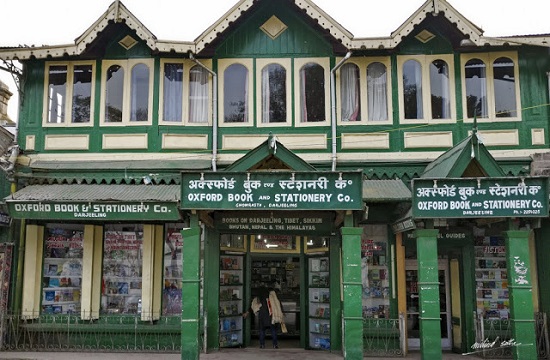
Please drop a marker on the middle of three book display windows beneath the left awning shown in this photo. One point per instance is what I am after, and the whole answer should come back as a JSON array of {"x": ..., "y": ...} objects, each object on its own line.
[{"x": 122, "y": 269}]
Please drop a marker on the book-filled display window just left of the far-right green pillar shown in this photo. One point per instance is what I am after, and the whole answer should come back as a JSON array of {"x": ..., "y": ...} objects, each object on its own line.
[{"x": 491, "y": 278}]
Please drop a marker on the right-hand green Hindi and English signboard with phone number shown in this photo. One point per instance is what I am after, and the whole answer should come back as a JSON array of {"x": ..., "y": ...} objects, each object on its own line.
[{"x": 480, "y": 197}]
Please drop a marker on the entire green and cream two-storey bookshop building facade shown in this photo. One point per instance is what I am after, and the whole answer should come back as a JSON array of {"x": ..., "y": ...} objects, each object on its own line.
[{"x": 158, "y": 185}]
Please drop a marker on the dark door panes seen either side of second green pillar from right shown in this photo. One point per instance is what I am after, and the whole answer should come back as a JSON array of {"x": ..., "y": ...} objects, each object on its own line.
[{"x": 413, "y": 309}]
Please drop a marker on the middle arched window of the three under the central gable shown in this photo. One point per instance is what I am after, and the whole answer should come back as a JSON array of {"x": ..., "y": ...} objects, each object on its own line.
[{"x": 274, "y": 94}]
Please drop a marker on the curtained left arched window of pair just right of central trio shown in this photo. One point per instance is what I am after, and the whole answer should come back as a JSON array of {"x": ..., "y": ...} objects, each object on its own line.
[{"x": 351, "y": 92}]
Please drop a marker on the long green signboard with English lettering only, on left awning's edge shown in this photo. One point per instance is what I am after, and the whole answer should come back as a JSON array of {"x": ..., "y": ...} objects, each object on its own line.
[{"x": 103, "y": 211}]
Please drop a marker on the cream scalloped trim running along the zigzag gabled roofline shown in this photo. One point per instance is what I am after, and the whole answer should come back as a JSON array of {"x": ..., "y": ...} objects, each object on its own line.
[{"x": 117, "y": 12}]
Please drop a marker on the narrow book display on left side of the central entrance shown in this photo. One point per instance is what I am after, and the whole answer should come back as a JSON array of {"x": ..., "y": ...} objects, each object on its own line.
[{"x": 231, "y": 300}]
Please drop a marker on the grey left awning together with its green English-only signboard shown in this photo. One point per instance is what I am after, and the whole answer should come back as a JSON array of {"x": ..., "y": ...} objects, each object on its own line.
[{"x": 96, "y": 202}]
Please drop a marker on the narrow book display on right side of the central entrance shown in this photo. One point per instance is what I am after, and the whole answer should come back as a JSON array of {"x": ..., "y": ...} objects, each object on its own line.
[{"x": 319, "y": 303}]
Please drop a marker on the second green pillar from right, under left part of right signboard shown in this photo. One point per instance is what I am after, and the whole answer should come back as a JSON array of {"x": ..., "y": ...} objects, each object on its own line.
[{"x": 428, "y": 289}]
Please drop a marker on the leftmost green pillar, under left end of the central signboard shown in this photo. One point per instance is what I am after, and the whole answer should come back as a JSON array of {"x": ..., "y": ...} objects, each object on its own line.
[{"x": 190, "y": 290}]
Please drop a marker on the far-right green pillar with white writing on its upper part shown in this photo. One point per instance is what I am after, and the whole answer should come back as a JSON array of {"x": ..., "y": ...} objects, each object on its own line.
[{"x": 521, "y": 295}]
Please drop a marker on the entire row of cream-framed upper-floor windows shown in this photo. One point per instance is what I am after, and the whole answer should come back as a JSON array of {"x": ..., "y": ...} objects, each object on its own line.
[{"x": 426, "y": 91}]
